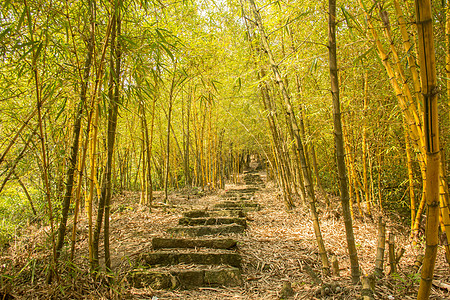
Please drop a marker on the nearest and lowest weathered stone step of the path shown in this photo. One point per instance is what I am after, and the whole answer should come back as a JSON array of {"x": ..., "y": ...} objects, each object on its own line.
[{"x": 174, "y": 277}]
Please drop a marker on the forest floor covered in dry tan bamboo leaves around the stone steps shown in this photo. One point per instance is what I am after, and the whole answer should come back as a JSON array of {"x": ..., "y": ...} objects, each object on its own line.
[{"x": 275, "y": 249}]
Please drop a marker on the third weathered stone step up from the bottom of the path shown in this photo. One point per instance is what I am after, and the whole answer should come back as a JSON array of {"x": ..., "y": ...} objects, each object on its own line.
[{"x": 159, "y": 243}]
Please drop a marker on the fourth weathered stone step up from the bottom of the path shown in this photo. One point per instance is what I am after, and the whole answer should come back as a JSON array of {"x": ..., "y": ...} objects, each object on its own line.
[{"x": 206, "y": 230}]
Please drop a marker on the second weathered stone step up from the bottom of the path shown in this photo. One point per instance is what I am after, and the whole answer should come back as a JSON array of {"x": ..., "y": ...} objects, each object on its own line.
[{"x": 170, "y": 257}]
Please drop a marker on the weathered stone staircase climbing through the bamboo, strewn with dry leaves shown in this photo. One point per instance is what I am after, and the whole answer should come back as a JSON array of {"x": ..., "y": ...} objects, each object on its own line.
[{"x": 202, "y": 250}]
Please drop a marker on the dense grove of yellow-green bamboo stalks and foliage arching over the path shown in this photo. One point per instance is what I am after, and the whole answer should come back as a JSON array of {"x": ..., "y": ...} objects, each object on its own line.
[{"x": 98, "y": 98}]
